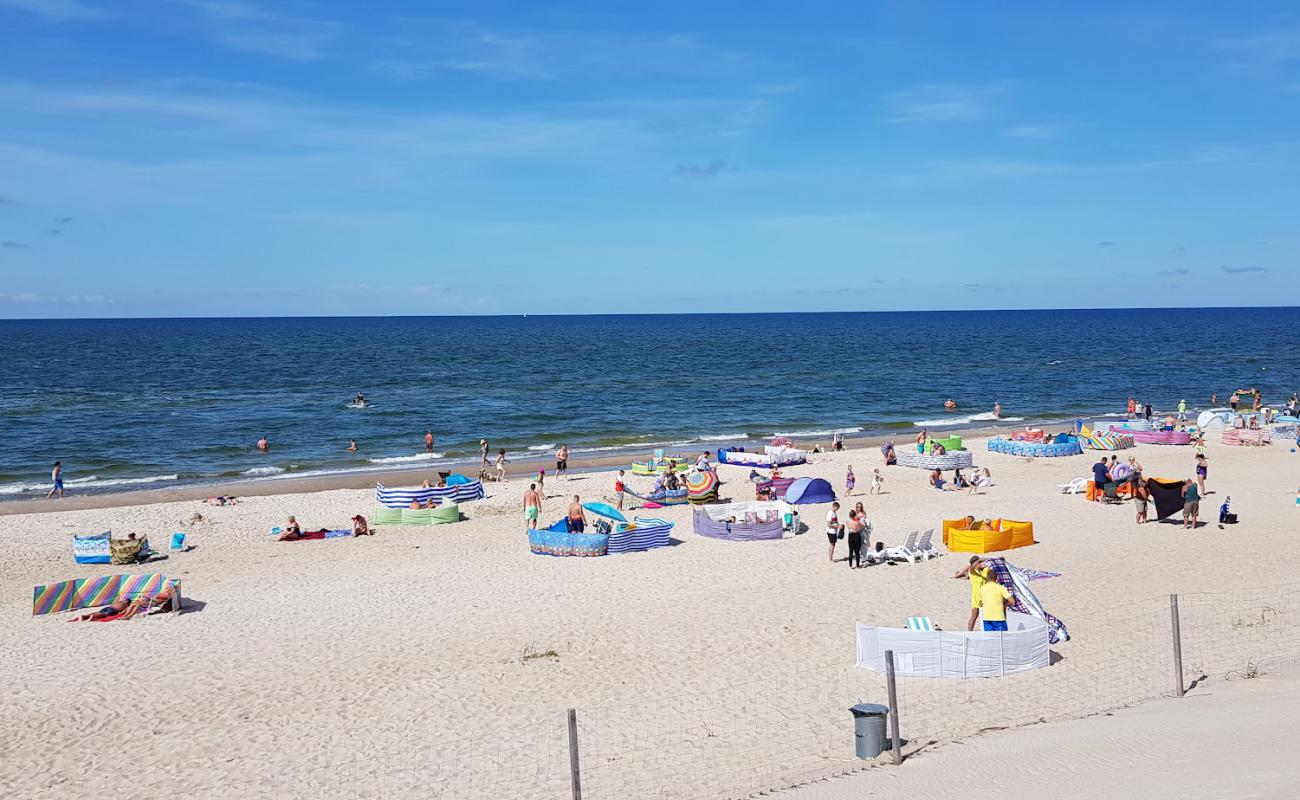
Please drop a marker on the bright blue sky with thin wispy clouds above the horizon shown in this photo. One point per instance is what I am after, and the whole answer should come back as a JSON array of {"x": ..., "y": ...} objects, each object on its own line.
[{"x": 248, "y": 158}]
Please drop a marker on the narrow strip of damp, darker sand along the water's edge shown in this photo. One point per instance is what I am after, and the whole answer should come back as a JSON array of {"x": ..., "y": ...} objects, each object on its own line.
[{"x": 268, "y": 487}]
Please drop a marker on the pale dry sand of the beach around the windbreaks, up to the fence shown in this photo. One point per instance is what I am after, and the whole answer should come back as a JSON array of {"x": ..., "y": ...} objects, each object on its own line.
[{"x": 456, "y": 651}]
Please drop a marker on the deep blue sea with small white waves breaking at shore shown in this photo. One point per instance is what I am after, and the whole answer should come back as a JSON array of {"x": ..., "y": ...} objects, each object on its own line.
[{"x": 149, "y": 404}]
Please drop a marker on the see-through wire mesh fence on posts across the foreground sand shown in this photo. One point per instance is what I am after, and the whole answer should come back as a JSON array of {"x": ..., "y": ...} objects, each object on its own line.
[{"x": 756, "y": 736}]
